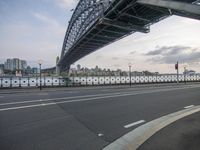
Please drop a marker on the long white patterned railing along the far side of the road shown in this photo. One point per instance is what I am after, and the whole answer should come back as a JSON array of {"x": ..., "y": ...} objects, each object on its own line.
[{"x": 84, "y": 81}]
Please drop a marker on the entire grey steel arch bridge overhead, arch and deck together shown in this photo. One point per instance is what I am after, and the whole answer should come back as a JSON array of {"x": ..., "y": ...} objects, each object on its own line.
[{"x": 97, "y": 23}]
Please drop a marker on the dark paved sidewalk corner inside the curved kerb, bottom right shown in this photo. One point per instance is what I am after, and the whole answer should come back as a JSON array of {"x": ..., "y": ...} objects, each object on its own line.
[{"x": 183, "y": 134}]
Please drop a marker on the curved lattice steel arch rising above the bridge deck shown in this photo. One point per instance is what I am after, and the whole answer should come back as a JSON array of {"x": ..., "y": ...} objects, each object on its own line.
[{"x": 85, "y": 14}]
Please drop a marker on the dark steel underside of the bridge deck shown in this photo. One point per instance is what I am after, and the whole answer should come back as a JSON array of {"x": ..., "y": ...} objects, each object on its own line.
[{"x": 122, "y": 18}]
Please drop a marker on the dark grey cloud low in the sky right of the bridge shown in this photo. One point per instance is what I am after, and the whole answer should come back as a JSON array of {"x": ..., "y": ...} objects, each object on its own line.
[{"x": 171, "y": 54}]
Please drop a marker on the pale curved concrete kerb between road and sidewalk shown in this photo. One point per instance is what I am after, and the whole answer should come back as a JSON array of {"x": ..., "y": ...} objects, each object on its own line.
[{"x": 134, "y": 139}]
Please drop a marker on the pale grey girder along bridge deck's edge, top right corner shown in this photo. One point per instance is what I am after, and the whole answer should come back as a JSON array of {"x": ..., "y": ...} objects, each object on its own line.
[{"x": 181, "y": 8}]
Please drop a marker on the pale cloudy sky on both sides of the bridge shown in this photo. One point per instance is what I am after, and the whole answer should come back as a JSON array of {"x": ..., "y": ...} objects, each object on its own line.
[{"x": 34, "y": 30}]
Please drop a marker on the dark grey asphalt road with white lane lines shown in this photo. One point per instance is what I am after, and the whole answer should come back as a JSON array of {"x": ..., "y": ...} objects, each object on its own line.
[{"x": 85, "y": 118}]
